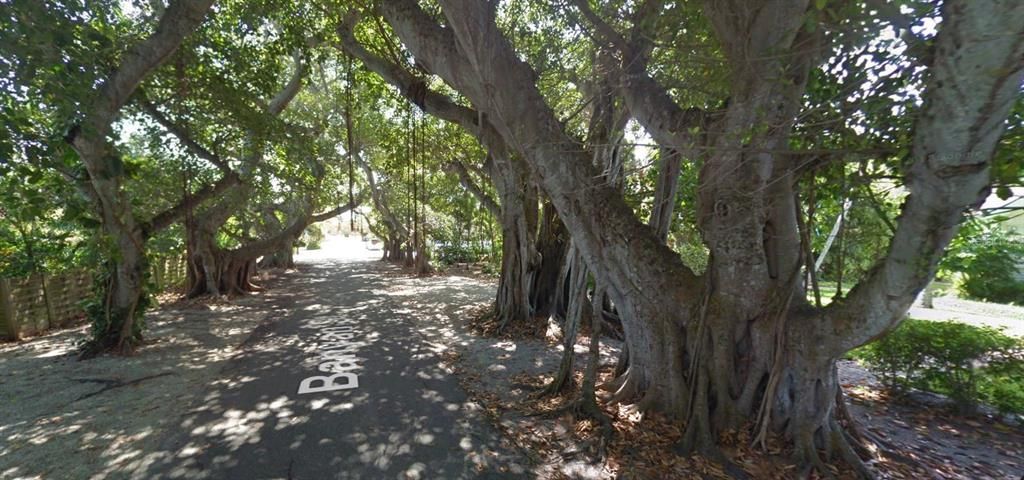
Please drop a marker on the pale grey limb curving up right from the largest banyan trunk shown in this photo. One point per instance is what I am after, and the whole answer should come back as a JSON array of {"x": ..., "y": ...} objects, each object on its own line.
[{"x": 980, "y": 50}]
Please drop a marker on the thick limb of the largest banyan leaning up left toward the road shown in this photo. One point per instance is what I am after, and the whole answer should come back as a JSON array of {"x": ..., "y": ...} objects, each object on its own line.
[{"x": 475, "y": 57}]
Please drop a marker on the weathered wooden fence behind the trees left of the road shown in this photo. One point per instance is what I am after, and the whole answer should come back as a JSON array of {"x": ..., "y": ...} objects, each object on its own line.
[{"x": 33, "y": 306}]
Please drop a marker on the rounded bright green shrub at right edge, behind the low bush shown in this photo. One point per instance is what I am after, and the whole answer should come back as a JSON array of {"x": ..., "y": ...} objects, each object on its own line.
[{"x": 990, "y": 261}]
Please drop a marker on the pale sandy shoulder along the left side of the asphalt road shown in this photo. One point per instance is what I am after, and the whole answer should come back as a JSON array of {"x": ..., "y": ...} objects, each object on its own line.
[{"x": 62, "y": 418}]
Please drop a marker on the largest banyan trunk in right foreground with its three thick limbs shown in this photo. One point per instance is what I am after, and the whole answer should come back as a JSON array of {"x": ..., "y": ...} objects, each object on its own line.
[{"x": 740, "y": 343}]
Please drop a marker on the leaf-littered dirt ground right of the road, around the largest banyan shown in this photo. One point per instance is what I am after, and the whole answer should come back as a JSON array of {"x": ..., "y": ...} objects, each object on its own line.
[{"x": 503, "y": 375}]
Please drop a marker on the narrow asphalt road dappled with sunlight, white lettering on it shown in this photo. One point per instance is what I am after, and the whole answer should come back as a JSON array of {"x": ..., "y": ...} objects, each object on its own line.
[{"x": 407, "y": 419}]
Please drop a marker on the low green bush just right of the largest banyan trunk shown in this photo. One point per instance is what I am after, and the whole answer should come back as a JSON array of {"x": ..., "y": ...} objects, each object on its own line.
[{"x": 968, "y": 364}]
